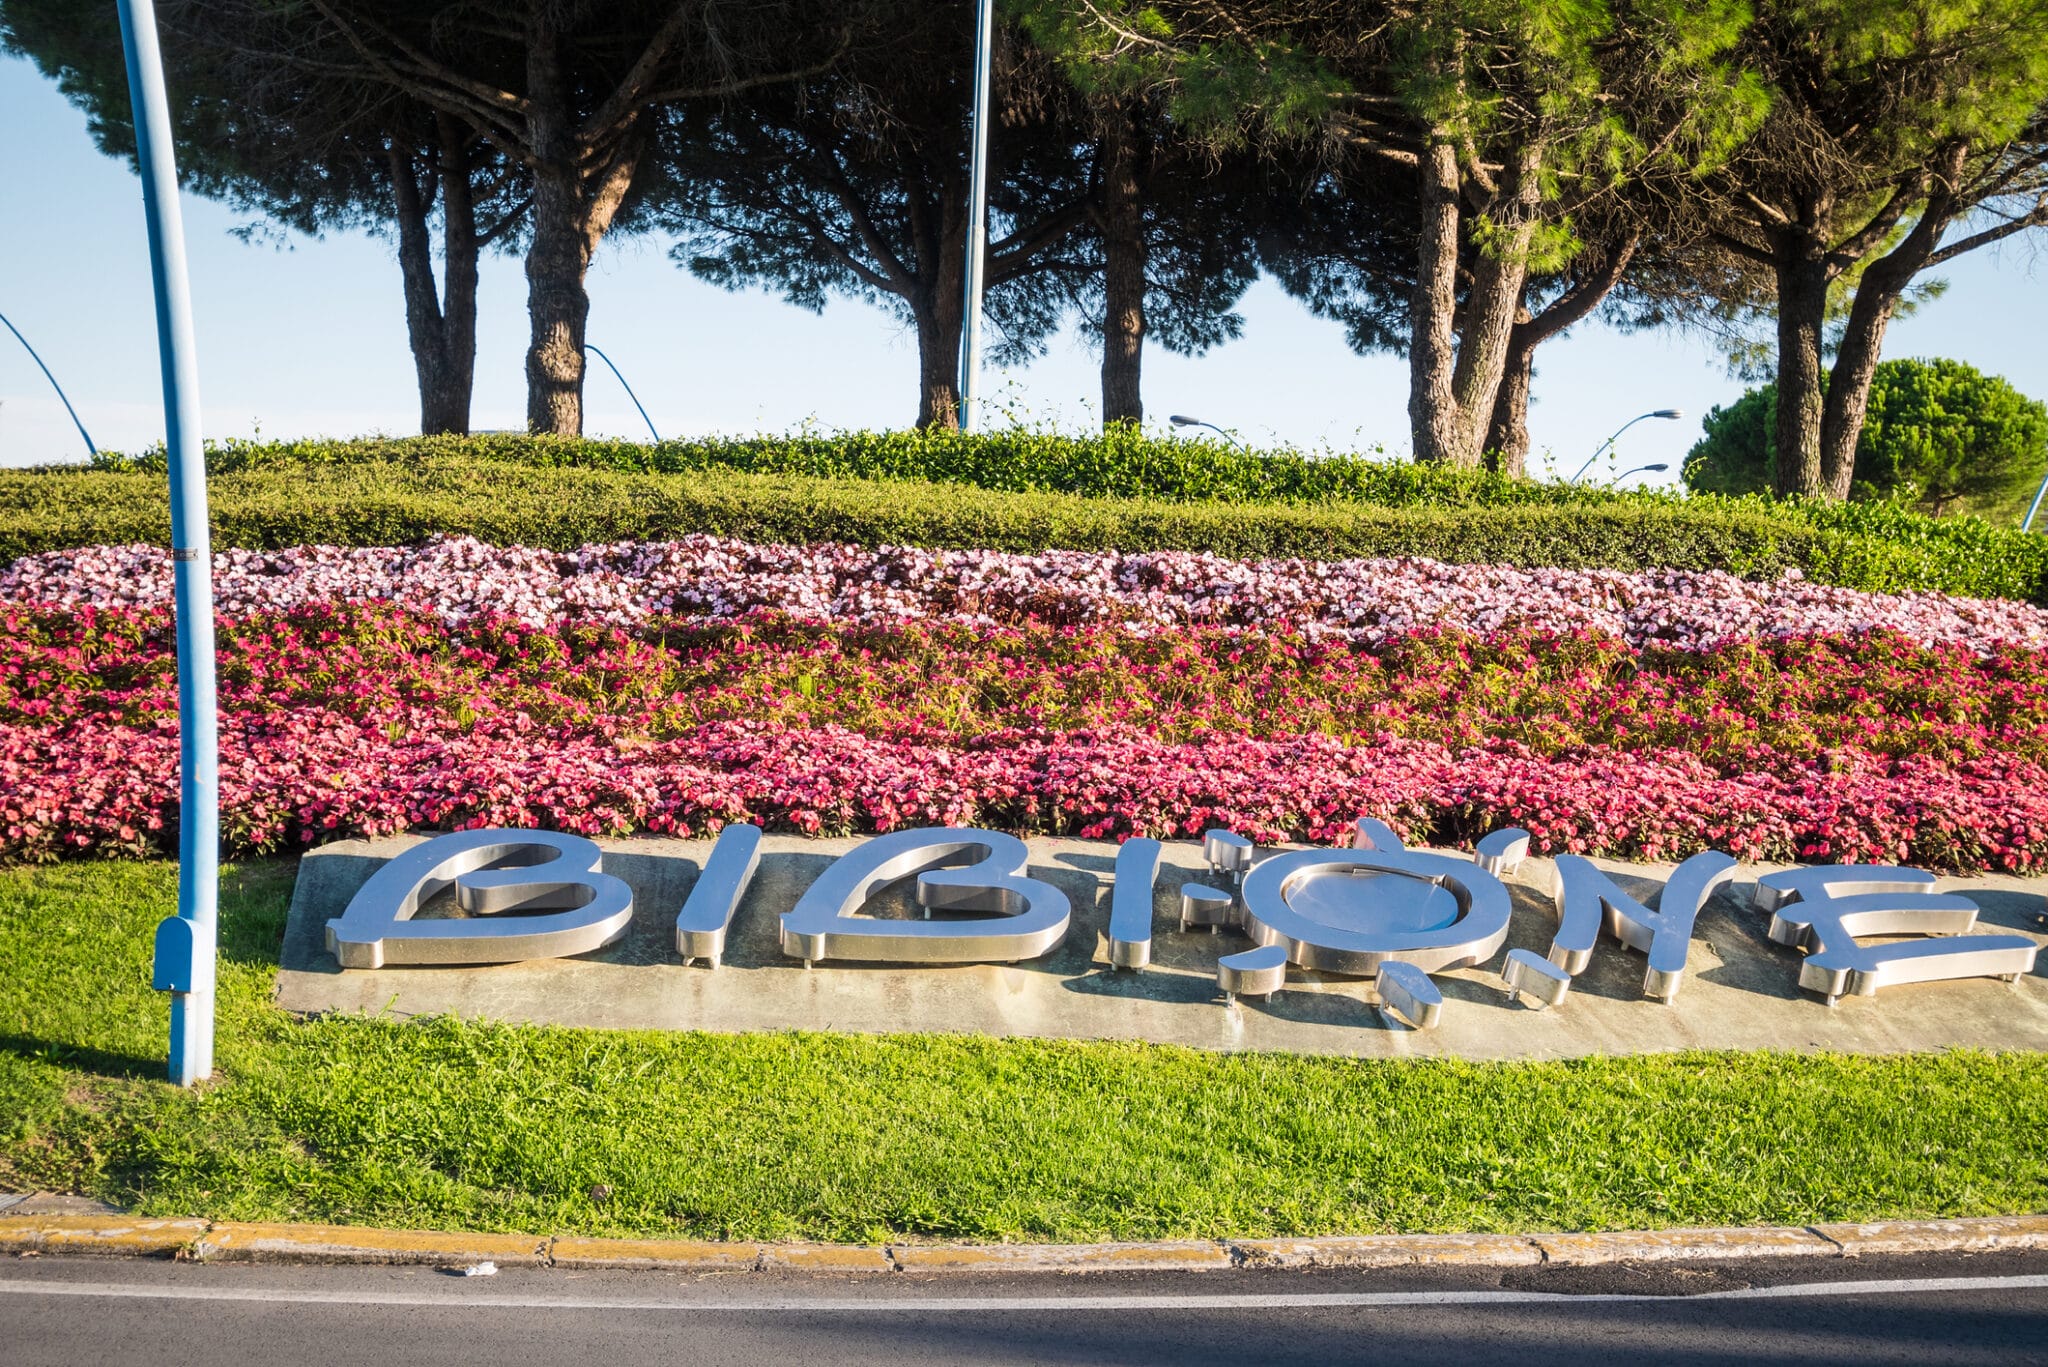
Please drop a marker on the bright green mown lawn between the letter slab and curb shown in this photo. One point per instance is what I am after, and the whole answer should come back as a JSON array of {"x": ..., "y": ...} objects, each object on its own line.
[{"x": 867, "y": 1138}]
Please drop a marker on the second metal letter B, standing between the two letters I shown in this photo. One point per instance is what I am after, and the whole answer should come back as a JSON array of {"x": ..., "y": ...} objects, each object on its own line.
[{"x": 1027, "y": 917}]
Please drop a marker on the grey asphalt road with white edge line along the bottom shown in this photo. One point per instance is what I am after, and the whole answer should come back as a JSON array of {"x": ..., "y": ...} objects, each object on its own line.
[{"x": 1875, "y": 1311}]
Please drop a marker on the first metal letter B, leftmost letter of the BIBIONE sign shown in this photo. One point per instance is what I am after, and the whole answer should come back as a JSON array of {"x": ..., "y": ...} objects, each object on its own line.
[{"x": 493, "y": 872}]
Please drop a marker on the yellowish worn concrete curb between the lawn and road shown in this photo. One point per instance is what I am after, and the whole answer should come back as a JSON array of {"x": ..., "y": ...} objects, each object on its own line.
[{"x": 228, "y": 1241}]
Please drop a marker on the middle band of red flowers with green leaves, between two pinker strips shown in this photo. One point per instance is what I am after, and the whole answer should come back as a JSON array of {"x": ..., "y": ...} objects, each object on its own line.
[{"x": 1734, "y": 708}]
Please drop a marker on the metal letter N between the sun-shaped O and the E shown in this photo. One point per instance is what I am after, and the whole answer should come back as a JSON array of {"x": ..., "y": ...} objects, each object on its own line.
[{"x": 1588, "y": 901}]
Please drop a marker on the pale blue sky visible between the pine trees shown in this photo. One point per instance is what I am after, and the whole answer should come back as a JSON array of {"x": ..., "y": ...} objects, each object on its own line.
[{"x": 310, "y": 339}]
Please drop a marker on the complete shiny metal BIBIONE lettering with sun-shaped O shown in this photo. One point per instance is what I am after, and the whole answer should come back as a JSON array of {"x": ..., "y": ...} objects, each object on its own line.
[{"x": 1373, "y": 909}]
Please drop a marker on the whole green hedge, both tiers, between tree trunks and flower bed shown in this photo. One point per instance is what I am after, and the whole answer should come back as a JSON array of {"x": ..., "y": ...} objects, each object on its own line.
[{"x": 1195, "y": 497}]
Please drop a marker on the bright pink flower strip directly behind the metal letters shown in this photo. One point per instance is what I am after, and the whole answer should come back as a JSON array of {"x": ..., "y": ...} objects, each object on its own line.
[{"x": 308, "y": 776}]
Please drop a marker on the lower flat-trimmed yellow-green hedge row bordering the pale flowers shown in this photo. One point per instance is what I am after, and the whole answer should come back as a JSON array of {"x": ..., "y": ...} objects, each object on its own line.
[{"x": 370, "y": 503}]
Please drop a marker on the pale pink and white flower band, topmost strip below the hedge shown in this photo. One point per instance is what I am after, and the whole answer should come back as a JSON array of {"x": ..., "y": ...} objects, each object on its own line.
[{"x": 722, "y": 579}]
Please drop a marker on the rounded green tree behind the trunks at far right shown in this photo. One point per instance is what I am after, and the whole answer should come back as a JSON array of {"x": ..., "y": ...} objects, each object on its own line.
[{"x": 1936, "y": 433}]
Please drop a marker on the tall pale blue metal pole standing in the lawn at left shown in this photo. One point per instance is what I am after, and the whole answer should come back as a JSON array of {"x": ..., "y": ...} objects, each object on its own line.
[{"x": 185, "y": 946}]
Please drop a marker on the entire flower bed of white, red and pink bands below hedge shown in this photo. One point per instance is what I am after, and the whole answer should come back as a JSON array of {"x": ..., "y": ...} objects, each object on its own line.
[{"x": 669, "y": 688}]
